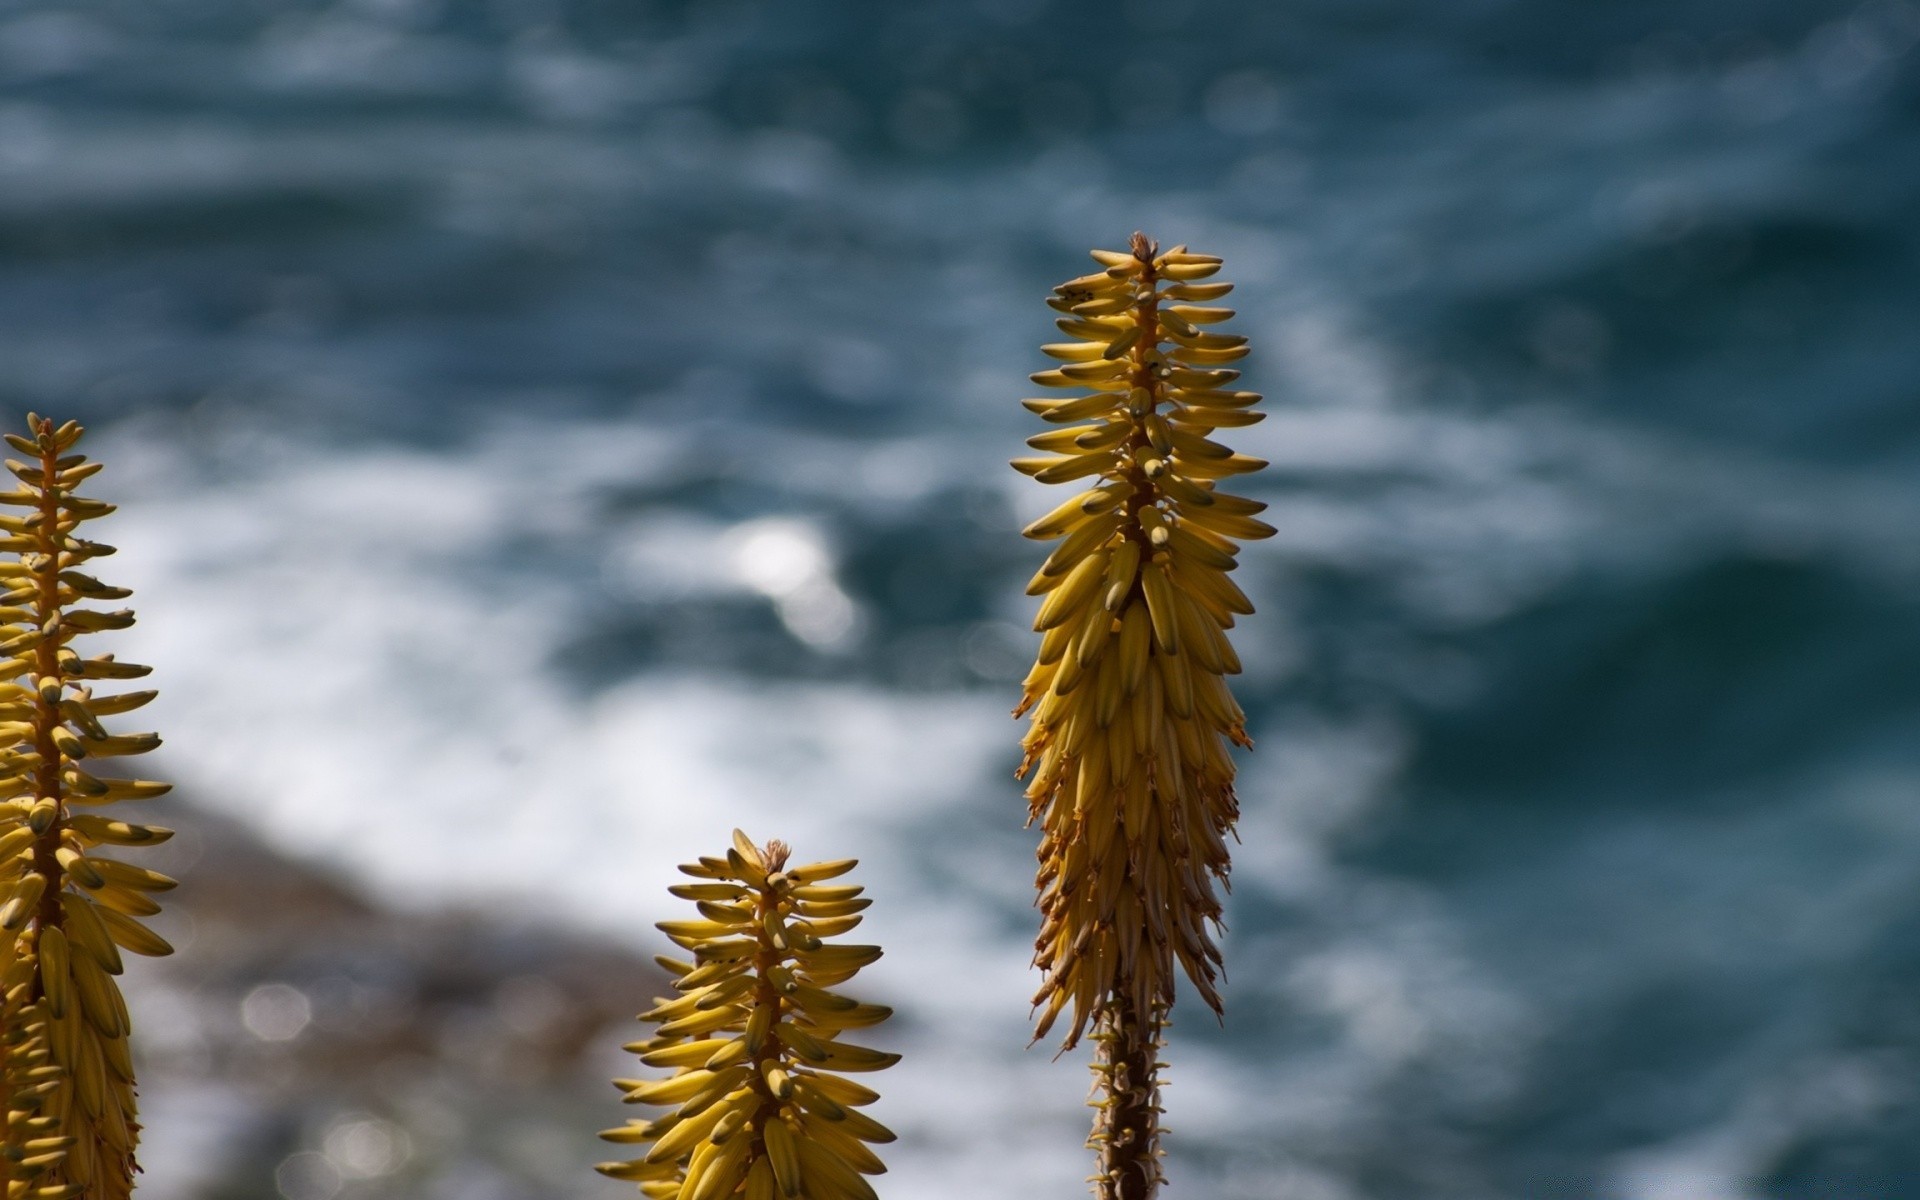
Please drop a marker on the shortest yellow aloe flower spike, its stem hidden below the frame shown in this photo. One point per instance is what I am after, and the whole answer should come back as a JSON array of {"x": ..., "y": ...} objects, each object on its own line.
[{"x": 754, "y": 1040}]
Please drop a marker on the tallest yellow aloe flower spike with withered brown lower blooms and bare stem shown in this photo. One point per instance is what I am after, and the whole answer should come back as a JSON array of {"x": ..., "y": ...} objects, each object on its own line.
[{"x": 1132, "y": 715}]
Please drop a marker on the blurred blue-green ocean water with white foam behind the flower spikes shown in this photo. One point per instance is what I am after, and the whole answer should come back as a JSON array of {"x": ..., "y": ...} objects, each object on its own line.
[{"x": 554, "y": 433}]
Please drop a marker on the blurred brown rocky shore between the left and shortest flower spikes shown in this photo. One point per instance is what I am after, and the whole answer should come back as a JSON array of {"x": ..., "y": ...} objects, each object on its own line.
[{"x": 304, "y": 1042}]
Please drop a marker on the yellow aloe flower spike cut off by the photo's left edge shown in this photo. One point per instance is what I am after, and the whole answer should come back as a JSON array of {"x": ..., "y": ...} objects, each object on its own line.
[{"x": 68, "y": 911}]
